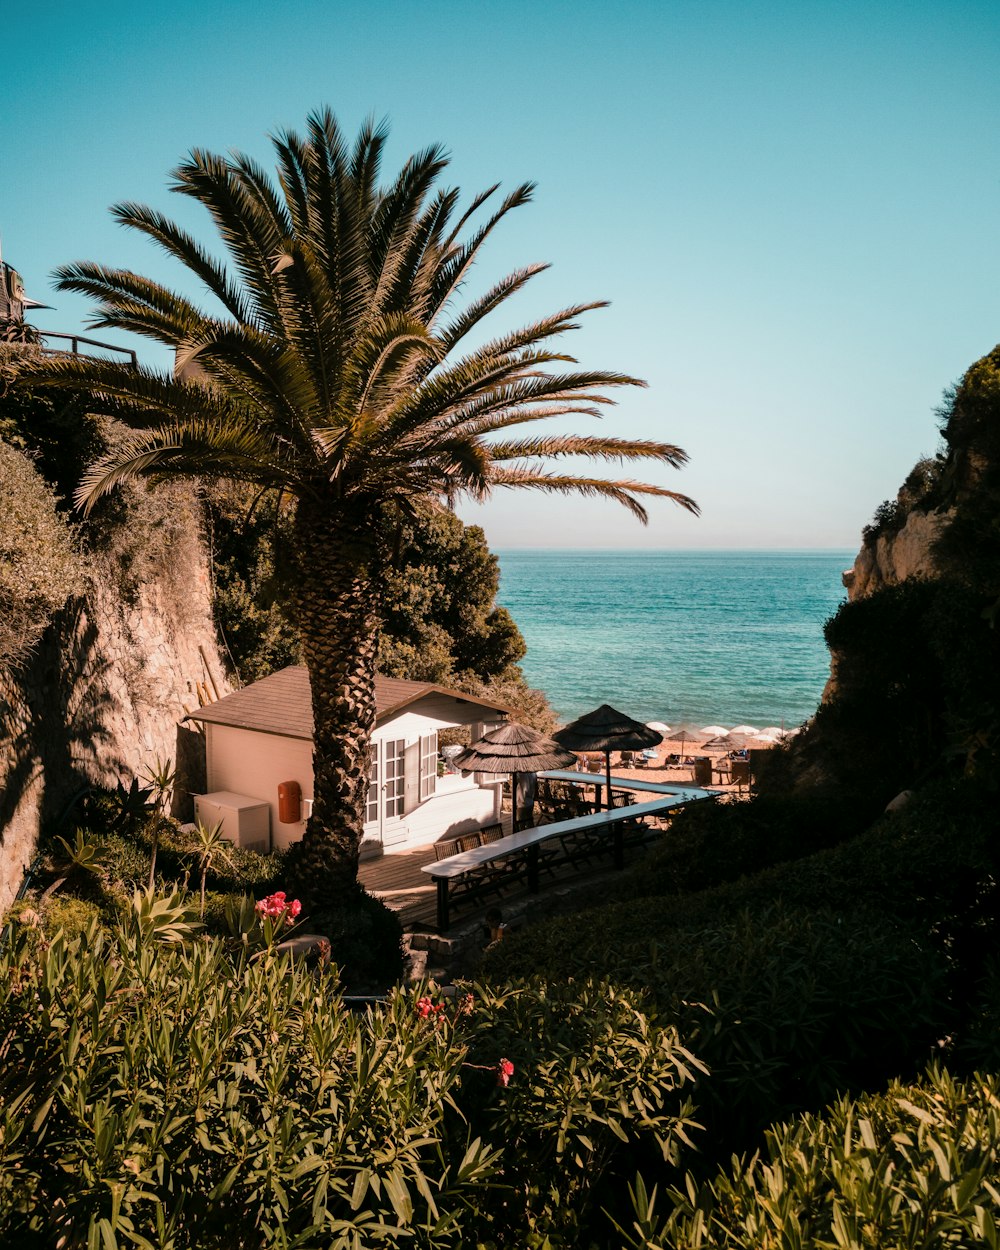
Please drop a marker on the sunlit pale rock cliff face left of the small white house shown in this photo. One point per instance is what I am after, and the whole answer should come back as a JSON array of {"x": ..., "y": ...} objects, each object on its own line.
[{"x": 106, "y": 692}]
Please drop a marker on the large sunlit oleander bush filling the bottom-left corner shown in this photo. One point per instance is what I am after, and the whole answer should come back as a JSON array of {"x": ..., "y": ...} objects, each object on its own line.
[{"x": 164, "y": 1093}]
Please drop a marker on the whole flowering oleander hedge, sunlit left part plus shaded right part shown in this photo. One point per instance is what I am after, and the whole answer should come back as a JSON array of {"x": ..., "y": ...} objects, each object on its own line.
[{"x": 166, "y": 1091}]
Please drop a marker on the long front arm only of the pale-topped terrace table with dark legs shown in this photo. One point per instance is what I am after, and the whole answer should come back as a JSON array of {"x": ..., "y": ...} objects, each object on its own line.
[{"x": 472, "y": 872}]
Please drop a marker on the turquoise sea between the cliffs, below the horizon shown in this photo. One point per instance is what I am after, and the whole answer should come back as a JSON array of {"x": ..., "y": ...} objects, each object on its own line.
[{"x": 707, "y": 637}]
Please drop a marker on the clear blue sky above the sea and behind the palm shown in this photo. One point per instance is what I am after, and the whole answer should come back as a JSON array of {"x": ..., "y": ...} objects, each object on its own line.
[{"x": 793, "y": 207}]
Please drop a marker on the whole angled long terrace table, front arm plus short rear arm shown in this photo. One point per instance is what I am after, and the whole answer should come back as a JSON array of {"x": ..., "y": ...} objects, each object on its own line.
[{"x": 528, "y": 842}]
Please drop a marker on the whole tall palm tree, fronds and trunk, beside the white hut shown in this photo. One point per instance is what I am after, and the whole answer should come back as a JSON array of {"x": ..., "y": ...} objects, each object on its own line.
[{"x": 334, "y": 374}]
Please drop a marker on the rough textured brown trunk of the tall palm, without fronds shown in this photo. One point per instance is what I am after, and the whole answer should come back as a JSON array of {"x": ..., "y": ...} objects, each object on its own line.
[{"x": 336, "y": 604}]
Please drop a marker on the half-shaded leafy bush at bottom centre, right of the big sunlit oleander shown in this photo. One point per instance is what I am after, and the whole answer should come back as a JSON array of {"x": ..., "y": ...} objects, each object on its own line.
[{"x": 599, "y": 1088}]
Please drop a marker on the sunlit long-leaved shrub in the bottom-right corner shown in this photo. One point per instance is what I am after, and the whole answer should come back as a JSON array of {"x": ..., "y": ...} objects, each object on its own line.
[{"x": 914, "y": 1167}]
